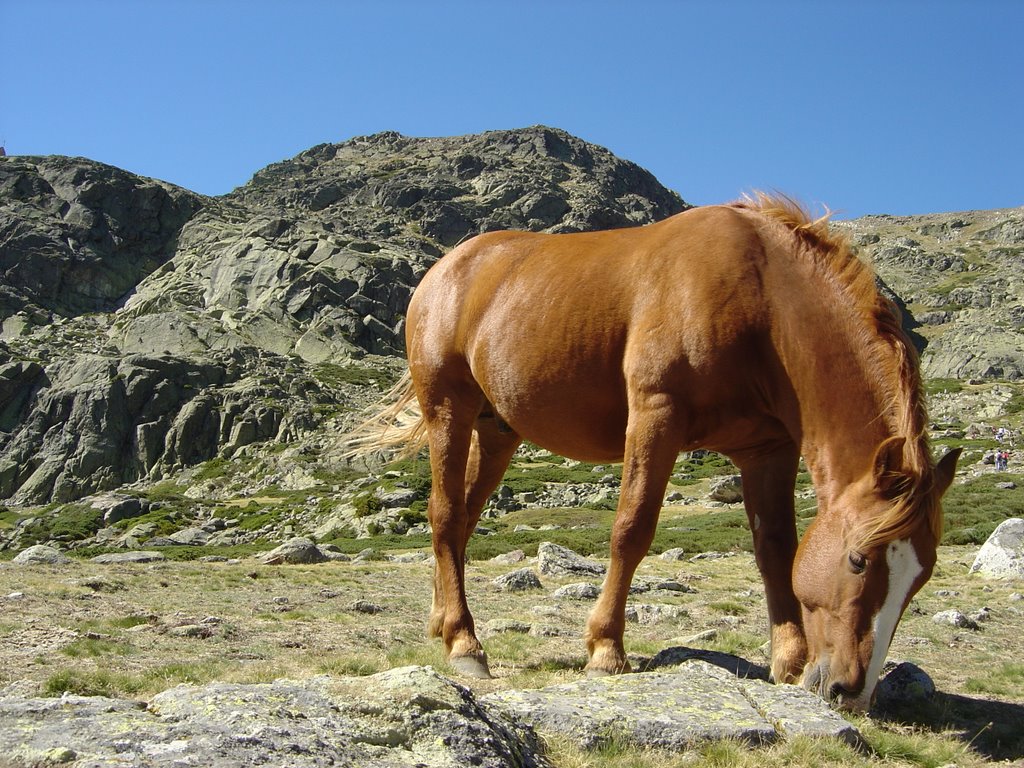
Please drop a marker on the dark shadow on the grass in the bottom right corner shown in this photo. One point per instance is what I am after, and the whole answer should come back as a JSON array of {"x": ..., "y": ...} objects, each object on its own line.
[{"x": 993, "y": 729}]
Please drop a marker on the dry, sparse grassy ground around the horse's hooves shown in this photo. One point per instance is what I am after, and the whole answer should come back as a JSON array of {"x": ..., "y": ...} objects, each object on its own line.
[{"x": 138, "y": 630}]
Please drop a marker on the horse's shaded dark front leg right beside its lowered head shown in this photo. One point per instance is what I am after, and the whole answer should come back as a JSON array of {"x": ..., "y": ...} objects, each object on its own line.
[{"x": 769, "y": 486}]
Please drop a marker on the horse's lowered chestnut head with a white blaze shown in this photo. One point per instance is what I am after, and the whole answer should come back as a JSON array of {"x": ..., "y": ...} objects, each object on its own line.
[{"x": 856, "y": 583}]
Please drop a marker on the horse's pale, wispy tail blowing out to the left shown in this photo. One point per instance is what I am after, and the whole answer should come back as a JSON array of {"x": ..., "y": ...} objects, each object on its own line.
[{"x": 395, "y": 424}]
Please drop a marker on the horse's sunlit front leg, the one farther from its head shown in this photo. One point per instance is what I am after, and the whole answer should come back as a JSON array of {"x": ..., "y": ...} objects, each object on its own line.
[{"x": 649, "y": 462}]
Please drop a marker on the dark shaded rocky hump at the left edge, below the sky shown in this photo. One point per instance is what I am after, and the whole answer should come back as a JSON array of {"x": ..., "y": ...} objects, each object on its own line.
[{"x": 78, "y": 236}]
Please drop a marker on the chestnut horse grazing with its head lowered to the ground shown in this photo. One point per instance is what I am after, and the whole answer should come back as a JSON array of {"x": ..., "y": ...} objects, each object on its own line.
[{"x": 750, "y": 329}]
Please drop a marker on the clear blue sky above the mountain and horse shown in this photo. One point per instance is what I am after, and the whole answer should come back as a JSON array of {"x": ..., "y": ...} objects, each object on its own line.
[{"x": 898, "y": 108}]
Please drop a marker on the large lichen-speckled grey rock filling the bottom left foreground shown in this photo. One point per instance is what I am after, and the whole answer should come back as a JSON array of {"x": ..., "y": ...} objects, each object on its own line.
[{"x": 401, "y": 718}]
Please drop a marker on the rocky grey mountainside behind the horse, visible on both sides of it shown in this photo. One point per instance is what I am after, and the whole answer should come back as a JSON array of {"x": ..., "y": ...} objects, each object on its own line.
[{"x": 147, "y": 329}]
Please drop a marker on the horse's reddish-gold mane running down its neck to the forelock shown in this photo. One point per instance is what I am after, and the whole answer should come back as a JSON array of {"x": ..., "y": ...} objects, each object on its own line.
[{"x": 891, "y": 358}]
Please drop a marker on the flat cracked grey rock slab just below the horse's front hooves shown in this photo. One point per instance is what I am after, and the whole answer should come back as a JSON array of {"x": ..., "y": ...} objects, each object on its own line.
[{"x": 678, "y": 710}]
